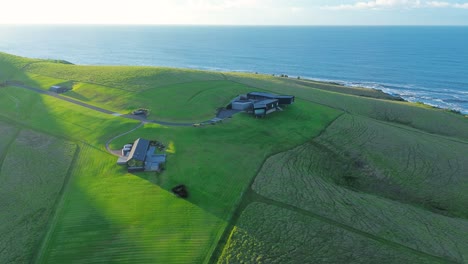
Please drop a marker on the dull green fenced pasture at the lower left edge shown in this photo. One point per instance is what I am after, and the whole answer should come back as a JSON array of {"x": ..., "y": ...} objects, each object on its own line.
[{"x": 32, "y": 177}]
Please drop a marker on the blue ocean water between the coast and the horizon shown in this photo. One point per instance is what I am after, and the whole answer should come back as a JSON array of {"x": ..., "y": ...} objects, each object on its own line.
[{"x": 425, "y": 64}]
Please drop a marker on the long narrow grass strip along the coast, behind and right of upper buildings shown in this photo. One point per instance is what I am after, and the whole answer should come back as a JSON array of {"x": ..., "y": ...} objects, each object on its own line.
[{"x": 423, "y": 117}]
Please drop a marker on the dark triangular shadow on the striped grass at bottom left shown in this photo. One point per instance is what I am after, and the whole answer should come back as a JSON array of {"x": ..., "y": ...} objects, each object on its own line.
[{"x": 63, "y": 244}]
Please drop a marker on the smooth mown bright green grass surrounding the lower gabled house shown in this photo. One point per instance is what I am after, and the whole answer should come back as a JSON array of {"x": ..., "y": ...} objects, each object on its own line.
[{"x": 101, "y": 190}]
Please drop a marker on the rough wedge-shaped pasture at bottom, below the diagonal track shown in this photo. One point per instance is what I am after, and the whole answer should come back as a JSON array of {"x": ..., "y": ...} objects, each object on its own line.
[{"x": 270, "y": 234}]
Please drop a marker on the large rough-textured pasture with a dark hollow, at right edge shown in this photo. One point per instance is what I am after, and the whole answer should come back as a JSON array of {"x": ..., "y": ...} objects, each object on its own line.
[{"x": 365, "y": 186}]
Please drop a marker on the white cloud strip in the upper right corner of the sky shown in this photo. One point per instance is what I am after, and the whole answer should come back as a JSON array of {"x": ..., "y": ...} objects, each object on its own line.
[{"x": 396, "y": 4}]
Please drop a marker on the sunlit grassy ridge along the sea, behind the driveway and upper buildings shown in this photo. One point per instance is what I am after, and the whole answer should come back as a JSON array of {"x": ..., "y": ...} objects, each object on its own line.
[{"x": 123, "y": 89}]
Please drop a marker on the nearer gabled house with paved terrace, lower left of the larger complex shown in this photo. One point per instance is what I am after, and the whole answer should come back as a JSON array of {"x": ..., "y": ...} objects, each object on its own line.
[{"x": 142, "y": 157}]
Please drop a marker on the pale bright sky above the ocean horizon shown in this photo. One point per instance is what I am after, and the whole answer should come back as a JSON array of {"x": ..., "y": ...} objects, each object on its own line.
[{"x": 236, "y": 12}]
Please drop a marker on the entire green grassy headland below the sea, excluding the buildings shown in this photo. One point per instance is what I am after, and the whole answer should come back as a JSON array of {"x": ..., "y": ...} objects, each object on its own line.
[{"x": 343, "y": 175}]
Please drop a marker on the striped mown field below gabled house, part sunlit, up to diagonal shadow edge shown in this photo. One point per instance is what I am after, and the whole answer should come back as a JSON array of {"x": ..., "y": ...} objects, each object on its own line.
[{"x": 110, "y": 216}]
